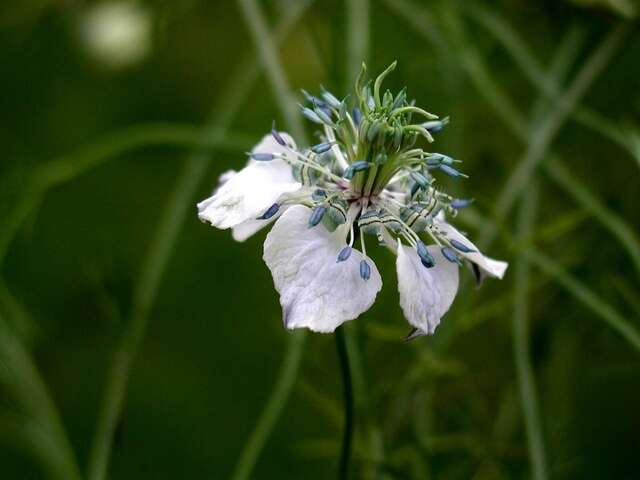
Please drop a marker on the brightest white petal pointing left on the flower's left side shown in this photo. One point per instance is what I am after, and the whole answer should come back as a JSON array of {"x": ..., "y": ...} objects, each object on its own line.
[{"x": 250, "y": 192}]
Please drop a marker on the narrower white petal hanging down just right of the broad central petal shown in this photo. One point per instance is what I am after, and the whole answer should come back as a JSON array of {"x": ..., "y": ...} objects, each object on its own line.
[{"x": 425, "y": 293}]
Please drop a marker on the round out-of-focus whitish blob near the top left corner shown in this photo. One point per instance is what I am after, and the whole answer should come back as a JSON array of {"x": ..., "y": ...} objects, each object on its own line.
[{"x": 116, "y": 34}]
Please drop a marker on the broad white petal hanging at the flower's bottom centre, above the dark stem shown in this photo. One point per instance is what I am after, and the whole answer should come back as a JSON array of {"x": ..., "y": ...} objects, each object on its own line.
[{"x": 315, "y": 291}]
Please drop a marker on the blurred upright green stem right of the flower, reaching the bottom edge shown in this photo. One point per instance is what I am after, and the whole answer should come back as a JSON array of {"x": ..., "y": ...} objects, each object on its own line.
[{"x": 521, "y": 341}]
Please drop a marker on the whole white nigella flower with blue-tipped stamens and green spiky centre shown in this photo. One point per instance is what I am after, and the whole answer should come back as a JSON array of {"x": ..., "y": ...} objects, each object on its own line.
[{"x": 366, "y": 180}]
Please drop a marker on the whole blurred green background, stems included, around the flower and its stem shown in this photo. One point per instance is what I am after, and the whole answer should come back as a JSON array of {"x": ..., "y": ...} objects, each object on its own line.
[{"x": 118, "y": 117}]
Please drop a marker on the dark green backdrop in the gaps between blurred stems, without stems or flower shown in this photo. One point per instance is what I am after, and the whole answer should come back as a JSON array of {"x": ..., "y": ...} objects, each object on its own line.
[{"x": 214, "y": 342}]
